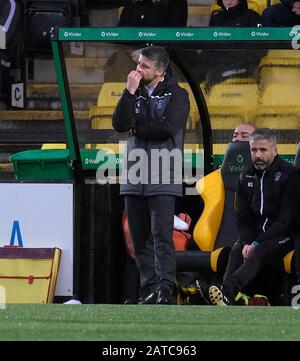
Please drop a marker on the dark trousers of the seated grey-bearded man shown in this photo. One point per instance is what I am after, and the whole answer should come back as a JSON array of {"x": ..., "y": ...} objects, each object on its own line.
[{"x": 239, "y": 273}]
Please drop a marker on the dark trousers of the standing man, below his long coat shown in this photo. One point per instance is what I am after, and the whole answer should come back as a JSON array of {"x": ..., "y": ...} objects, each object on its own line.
[{"x": 151, "y": 221}]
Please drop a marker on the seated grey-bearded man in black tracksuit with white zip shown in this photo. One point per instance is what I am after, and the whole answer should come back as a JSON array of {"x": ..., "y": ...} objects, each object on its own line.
[{"x": 266, "y": 217}]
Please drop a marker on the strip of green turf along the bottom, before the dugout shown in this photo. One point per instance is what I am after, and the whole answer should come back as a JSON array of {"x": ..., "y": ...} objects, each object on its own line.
[{"x": 151, "y": 323}]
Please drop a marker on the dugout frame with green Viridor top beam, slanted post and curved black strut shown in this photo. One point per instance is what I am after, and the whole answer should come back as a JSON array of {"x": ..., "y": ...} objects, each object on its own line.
[{"x": 172, "y": 39}]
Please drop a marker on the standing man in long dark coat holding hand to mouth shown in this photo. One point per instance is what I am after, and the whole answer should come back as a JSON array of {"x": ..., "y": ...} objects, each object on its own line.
[{"x": 154, "y": 109}]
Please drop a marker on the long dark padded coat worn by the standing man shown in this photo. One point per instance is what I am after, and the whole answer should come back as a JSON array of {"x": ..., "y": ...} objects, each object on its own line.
[{"x": 156, "y": 124}]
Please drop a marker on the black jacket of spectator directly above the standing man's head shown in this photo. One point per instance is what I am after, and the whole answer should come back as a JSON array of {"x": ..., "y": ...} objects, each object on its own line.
[{"x": 166, "y": 13}]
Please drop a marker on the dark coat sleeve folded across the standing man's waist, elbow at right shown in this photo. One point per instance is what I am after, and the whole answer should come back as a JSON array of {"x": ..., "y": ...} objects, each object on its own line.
[{"x": 172, "y": 121}]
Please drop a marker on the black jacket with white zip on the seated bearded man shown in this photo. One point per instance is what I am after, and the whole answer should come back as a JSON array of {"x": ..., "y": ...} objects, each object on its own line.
[{"x": 265, "y": 210}]
